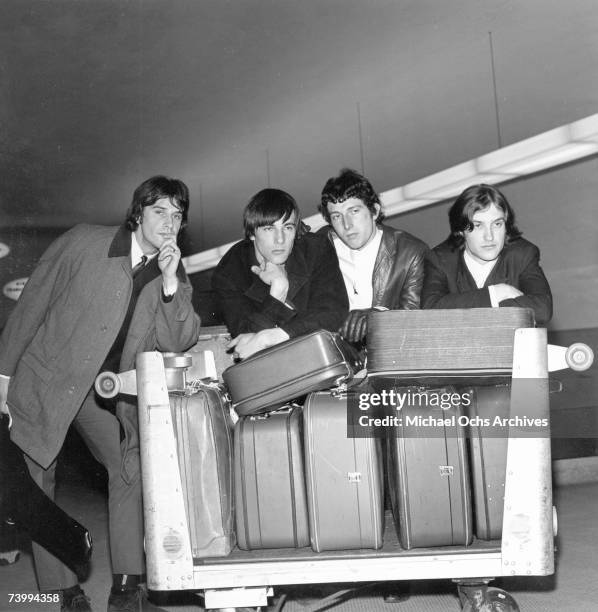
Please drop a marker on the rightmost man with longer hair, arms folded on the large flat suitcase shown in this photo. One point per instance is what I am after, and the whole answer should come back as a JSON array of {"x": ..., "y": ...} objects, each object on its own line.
[{"x": 484, "y": 262}]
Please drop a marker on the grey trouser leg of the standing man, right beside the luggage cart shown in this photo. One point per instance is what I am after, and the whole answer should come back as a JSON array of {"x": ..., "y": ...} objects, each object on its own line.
[{"x": 100, "y": 430}]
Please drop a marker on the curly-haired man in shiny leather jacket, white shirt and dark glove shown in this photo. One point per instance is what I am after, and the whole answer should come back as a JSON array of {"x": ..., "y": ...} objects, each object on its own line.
[{"x": 382, "y": 267}]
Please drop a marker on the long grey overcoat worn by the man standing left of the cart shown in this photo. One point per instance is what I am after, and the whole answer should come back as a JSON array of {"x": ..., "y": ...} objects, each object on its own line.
[{"x": 65, "y": 322}]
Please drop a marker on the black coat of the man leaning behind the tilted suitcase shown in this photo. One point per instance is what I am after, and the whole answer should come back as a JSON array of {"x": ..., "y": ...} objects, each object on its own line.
[{"x": 316, "y": 290}]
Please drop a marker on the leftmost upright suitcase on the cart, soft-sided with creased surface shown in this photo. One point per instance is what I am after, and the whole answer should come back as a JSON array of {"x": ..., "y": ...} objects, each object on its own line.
[{"x": 203, "y": 433}]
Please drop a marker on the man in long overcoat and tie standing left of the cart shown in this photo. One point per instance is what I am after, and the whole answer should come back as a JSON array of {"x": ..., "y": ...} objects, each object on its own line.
[{"x": 98, "y": 296}]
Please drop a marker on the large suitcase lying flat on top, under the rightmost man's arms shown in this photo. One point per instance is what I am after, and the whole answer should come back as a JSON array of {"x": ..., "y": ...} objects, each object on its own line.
[{"x": 435, "y": 343}]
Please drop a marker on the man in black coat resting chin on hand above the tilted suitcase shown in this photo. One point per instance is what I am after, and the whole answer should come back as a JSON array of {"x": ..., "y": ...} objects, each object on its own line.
[{"x": 281, "y": 281}]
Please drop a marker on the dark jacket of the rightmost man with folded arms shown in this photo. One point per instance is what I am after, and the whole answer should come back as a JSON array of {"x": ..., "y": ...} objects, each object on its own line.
[{"x": 449, "y": 284}]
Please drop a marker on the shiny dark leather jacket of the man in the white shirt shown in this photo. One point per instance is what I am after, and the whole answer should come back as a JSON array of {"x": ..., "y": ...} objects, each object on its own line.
[{"x": 398, "y": 273}]
